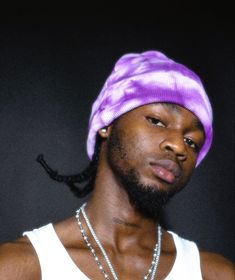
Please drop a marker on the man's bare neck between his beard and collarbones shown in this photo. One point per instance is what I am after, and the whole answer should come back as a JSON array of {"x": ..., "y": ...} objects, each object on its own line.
[{"x": 114, "y": 218}]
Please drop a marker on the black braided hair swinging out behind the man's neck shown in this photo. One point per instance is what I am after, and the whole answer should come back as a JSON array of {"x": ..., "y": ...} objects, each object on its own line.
[{"x": 88, "y": 174}]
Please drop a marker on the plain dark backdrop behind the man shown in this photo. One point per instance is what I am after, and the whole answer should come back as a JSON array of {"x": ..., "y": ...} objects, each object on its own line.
[{"x": 50, "y": 73}]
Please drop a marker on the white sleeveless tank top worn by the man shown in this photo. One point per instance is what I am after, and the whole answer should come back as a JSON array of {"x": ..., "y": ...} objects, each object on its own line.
[{"x": 56, "y": 263}]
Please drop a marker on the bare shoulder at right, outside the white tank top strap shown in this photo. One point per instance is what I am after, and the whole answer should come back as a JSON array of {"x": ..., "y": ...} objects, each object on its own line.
[{"x": 216, "y": 267}]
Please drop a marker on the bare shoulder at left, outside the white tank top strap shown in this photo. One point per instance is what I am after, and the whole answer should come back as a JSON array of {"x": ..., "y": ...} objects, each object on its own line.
[{"x": 18, "y": 260}]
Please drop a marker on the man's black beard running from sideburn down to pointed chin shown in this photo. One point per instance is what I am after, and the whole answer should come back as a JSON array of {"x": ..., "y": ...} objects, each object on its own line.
[{"x": 147, "y": 200}]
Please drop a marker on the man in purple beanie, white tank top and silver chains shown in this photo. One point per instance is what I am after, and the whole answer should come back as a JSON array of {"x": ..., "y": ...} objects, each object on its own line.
[{"x": 150, "y": 126}]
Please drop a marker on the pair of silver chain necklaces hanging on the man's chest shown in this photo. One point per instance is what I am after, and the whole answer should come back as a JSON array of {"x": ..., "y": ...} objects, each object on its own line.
[{"x": 156, "y": 252}]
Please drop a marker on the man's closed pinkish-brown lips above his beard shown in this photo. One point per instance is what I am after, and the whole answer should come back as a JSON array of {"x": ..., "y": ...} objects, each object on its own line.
[{"x": 166, "y": 169}]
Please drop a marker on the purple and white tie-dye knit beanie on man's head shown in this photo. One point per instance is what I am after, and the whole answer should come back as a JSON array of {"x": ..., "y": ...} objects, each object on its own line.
[{"x": 142, "y": 78}]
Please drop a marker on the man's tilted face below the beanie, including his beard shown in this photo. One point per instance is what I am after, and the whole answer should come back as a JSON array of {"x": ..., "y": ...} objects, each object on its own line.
[{"x": 154, "y": 149}]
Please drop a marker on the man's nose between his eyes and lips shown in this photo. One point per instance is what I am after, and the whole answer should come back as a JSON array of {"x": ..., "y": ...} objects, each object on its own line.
[{"x": 175, "y": 144}]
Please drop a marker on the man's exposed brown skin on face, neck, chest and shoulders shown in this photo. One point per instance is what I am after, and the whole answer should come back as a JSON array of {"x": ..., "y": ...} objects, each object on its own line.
[{"x": 148, "y": 133}]
